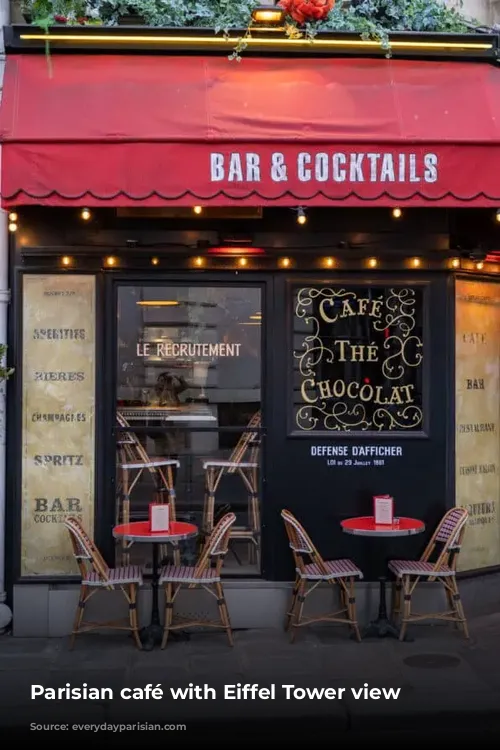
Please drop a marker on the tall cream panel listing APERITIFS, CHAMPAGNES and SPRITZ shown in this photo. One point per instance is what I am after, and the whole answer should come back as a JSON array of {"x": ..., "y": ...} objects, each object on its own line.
[{"x": 58, "y": 418}]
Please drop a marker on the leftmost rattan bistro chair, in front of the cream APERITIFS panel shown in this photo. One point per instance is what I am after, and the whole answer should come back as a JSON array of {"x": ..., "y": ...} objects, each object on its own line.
[{"x": 97, "y": 576}]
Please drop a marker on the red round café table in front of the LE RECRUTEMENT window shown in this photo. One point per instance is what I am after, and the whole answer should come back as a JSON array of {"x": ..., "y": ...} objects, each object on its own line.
[{"x": 138, "y": 532}]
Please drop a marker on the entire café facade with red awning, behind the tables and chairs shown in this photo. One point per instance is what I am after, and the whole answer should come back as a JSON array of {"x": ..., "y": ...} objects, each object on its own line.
[{"x": 291, "y": 262}]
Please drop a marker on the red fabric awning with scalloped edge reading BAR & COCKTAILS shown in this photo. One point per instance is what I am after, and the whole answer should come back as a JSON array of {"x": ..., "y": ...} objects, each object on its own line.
[{"x": 151, "y": 130}]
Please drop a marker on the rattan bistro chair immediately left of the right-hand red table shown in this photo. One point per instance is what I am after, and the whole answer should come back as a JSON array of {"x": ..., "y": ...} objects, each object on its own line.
[{"x": 309, "y": 575}]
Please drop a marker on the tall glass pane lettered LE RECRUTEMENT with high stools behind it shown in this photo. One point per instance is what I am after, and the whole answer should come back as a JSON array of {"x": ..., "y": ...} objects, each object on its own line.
[{"x": 189, "y": 391}]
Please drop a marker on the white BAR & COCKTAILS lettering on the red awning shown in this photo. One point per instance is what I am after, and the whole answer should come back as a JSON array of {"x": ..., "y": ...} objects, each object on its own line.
[{"x": 324, "y": 166}]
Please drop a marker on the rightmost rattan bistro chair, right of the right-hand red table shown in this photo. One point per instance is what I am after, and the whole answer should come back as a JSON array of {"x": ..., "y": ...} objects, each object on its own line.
[{"x": 448, "y": 536}]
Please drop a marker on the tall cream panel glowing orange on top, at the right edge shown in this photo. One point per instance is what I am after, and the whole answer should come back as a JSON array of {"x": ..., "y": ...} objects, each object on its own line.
[{"x": 477, "y": 436}]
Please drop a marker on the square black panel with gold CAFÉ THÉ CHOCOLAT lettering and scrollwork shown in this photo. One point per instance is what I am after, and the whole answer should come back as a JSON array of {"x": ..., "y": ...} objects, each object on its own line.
[{"x": 358, "y": 359}]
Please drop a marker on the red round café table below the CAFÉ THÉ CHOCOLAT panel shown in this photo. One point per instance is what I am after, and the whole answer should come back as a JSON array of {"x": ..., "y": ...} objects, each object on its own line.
[{"x": 366, "y": 526}]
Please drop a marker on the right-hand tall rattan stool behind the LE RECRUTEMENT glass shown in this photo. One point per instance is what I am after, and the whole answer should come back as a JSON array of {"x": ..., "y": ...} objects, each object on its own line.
[{"x": 243, "y": 461}]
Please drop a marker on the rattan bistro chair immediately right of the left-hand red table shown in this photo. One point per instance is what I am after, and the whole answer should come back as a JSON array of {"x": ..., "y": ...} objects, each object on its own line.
[{"x": 204, "y": 574}]
